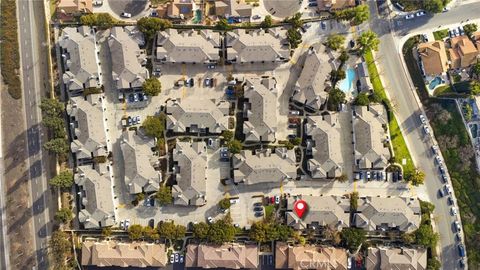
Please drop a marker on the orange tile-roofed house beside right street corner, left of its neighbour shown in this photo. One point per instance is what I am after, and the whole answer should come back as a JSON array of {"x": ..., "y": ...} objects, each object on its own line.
[{"x": 434, "y": 57}]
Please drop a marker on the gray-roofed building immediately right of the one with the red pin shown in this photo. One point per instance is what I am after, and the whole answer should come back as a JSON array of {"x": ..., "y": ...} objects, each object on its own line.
[{"x": 374, "y": 213}]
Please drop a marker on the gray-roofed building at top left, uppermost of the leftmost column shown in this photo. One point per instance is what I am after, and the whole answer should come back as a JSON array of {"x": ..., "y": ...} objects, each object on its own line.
[{"x": 80, "y": 58}]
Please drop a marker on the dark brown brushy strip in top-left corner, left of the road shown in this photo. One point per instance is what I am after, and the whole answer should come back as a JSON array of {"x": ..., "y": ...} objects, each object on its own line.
[{"x": 10, "y": 60}]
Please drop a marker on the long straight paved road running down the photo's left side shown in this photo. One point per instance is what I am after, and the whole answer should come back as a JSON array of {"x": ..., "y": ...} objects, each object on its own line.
[{"x": 35, "y": 80}]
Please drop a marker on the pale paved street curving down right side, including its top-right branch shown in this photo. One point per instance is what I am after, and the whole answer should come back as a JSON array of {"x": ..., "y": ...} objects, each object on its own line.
[{"x": 407, "y": 110}]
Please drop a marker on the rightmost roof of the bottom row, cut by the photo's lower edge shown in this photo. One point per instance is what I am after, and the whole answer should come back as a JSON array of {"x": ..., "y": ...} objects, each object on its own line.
[{"x": 379, "y": 258}]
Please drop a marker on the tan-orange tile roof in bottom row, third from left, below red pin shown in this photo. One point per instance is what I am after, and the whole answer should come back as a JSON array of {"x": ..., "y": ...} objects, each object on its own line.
[{"x": 309, "y": 257}]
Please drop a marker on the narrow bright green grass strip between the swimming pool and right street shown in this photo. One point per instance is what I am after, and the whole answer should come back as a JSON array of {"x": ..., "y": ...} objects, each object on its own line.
[{"x": 398, "y": 142}]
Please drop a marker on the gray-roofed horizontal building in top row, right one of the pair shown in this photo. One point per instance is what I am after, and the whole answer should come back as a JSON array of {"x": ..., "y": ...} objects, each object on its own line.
[{"x": 257, "y": 45}]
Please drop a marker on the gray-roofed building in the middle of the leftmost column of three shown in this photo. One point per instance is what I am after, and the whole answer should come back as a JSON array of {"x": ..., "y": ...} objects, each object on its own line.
[{"x": 88, "y": 126}]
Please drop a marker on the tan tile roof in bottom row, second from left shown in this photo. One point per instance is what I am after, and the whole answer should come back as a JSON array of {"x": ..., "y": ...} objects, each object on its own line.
[{"x": 226, "y": 256}]
